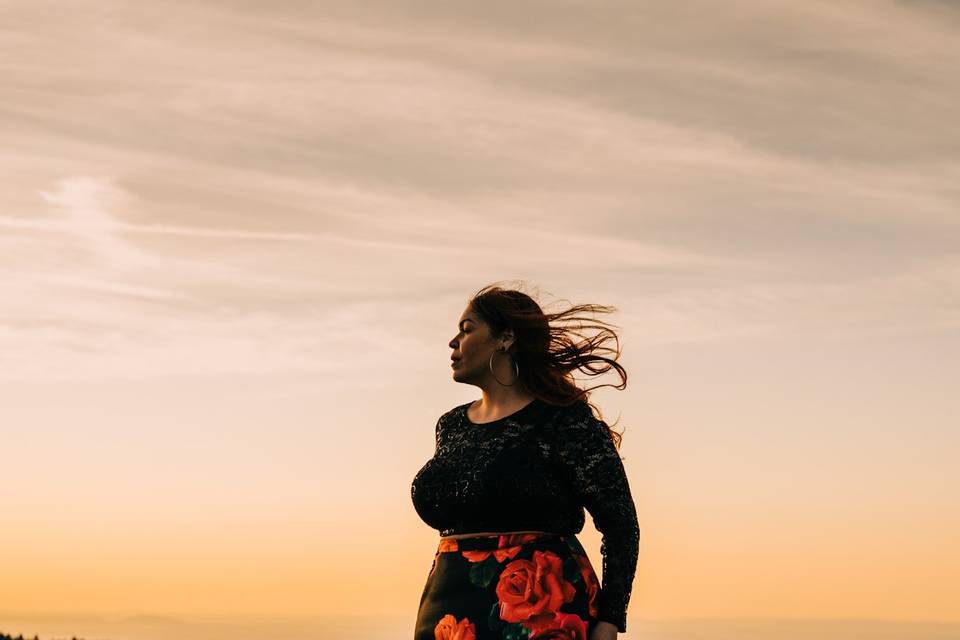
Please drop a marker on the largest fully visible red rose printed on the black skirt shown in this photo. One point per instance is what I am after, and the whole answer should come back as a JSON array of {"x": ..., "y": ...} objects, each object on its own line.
[{"x": 532, "y": 589}]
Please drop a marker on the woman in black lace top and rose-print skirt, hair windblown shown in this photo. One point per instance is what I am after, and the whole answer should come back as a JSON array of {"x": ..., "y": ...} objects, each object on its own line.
[{"x": 509, "y": 480}]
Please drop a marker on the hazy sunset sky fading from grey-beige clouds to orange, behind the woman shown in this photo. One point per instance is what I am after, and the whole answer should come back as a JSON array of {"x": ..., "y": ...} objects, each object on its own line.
[{"x": 236, "y": 238}]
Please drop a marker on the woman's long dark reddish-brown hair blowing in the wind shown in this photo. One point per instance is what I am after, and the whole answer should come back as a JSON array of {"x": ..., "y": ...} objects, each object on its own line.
[{"x": 548, "y": 347}]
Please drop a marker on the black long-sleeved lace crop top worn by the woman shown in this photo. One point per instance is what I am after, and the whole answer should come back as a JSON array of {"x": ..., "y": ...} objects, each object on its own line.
[{"x": 535, "y": 470}]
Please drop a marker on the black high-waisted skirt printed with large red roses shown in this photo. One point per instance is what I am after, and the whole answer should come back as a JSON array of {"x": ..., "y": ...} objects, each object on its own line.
[{"x": 532, "y": 585}]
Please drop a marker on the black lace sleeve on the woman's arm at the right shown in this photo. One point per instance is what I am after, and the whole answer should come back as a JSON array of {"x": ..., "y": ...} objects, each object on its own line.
[{"x": 596, "y": 472}]
